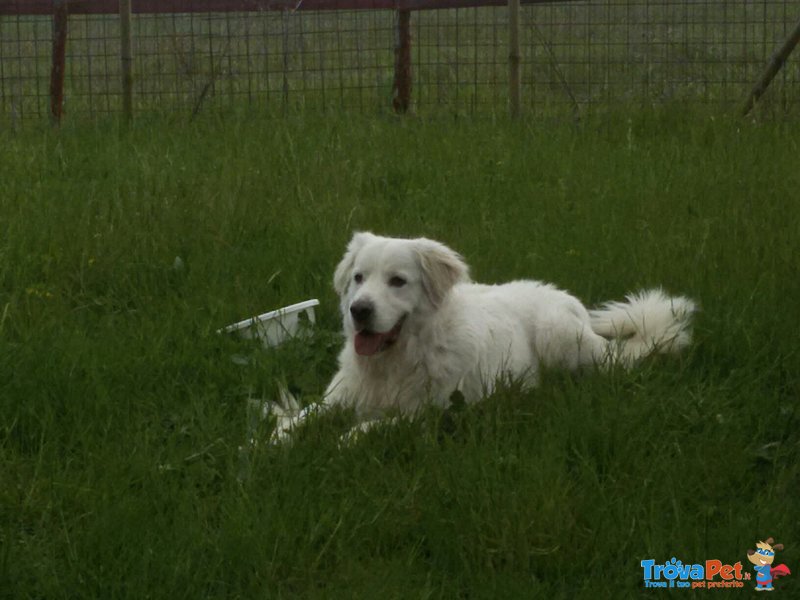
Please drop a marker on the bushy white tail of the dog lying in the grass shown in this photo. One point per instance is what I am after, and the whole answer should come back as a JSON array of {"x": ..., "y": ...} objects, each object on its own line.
[{"x": 647, "y": 322}]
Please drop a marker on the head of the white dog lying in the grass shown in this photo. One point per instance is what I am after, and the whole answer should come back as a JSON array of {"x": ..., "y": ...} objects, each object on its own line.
[{"x": 385, "y": 282}]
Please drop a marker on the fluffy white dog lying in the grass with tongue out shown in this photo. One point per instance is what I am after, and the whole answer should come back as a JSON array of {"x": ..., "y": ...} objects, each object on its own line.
[{"x": 417, "y": 329}]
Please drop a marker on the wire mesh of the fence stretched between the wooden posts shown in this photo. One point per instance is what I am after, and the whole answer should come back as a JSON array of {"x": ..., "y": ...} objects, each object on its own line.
[{"x": 574, "y": 55}]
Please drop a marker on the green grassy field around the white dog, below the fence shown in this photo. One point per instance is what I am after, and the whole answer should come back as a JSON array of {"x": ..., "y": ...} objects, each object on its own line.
[{"x": 122, "y": 413}]
